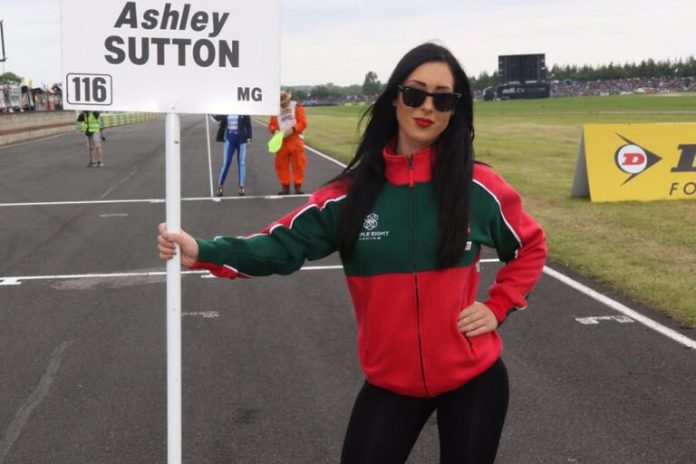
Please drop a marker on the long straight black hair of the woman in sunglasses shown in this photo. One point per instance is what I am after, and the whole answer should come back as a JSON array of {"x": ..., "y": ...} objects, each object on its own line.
[{"x": 452, "y": 169}]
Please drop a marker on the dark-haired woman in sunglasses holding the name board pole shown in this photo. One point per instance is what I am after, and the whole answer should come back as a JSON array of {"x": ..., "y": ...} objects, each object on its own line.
[{"x": 409, "y": 216}]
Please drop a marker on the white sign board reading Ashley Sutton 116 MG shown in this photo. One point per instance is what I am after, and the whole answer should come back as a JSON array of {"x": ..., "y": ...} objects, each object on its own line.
[{"x": 195, "y": 56}]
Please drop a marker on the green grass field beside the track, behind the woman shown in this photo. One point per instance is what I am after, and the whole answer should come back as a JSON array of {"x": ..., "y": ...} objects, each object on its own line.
[{"x": 644, "y": 250}]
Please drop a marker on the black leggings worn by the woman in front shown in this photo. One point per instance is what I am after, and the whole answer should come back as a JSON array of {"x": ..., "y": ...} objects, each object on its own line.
[{"x": 384, "y": 425}]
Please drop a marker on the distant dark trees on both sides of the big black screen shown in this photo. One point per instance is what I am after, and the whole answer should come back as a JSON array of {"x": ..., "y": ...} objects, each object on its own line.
[{"x": 646, "y": 68}]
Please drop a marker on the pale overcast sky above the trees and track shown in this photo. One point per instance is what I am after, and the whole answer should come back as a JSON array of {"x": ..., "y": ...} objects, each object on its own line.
[{"x": 339, "y": 41}]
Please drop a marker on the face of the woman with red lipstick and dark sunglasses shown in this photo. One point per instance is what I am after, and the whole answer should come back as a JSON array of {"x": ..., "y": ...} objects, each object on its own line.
[{"x": 419, "y": 127}]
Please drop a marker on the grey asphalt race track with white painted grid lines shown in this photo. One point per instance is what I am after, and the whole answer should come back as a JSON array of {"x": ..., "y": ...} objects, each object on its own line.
[{"x": 270, "y": 367}]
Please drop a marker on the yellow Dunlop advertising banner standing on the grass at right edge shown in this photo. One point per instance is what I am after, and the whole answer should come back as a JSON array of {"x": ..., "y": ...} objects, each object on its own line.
[{"x": 619, "y": 162}]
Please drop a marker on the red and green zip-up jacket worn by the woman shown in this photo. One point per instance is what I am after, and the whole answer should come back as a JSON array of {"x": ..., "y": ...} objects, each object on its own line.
[{"x": 406, "y": 309}]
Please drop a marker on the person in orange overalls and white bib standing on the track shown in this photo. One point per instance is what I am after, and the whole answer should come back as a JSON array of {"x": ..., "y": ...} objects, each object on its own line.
[{"x": 291, "y": 121}]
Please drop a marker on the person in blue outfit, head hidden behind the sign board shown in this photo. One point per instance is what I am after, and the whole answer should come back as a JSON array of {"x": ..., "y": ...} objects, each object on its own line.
[{"x": 235, "y": 131}]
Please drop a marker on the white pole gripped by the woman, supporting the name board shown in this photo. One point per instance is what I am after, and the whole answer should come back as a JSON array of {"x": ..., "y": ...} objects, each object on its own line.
[{"x": 173, "y": 199}]
